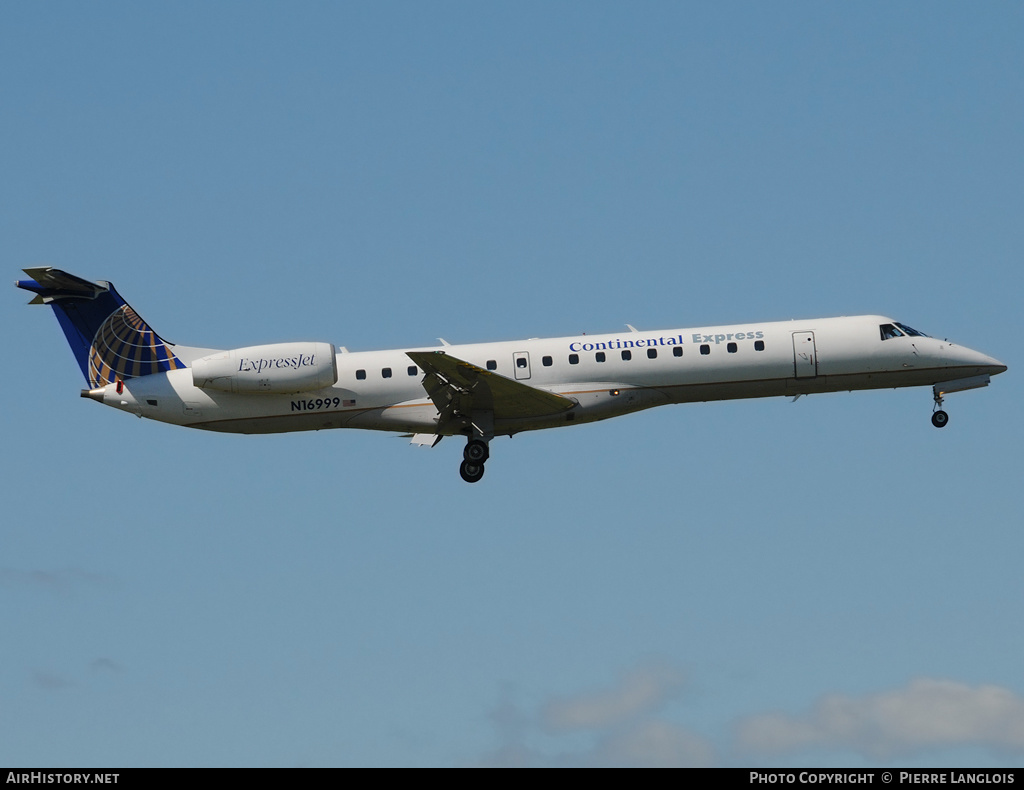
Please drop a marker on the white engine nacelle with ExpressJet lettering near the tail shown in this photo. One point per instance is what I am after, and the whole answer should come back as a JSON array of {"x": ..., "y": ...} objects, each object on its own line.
[{"x": 281, "y": 368}]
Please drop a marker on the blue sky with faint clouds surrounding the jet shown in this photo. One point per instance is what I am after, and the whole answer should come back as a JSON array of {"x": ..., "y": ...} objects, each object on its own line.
[{"x": 831, "y": 583}]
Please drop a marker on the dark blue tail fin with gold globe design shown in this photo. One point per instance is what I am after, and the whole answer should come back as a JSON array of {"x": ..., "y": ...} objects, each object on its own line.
[{"x": 108, "y": 338}]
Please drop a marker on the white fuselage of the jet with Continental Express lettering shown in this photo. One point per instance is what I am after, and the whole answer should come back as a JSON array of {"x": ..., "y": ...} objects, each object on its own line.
[{"x": 382, "y": 391}]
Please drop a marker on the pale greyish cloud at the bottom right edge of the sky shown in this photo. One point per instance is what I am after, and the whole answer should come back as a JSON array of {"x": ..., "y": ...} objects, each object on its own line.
[{"x": 926, "y": 715}]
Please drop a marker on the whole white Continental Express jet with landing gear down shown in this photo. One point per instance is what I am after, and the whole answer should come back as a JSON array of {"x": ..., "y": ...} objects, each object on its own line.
[{"x": 483, "y": 391}]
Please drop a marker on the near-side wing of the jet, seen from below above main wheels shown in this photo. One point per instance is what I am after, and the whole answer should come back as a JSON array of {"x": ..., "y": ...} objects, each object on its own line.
[{"x": 459, "y": 388}]
